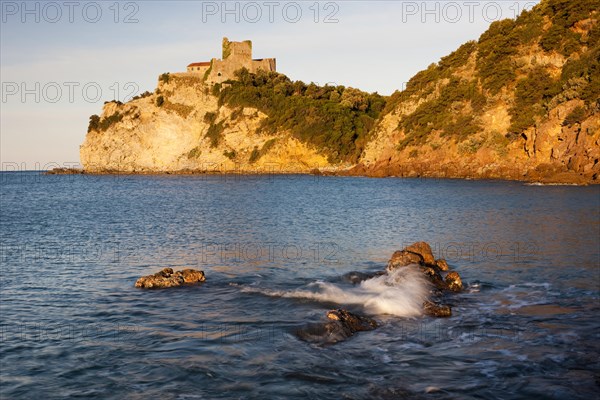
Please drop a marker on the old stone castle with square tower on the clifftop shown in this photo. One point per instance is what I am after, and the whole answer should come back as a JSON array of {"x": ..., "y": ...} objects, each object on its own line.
[{"x": 236, "y": 55}]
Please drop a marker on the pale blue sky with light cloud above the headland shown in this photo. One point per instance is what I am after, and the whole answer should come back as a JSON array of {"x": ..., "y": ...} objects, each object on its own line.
[{"x": 61, "y": 60}]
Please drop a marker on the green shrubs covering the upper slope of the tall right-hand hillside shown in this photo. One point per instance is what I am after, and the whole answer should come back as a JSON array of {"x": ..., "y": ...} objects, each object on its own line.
[{"x": 456, "y": 99}]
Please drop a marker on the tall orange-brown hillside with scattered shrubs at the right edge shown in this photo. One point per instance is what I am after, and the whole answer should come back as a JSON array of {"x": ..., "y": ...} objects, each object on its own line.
[{"x": 521, "y": 103}]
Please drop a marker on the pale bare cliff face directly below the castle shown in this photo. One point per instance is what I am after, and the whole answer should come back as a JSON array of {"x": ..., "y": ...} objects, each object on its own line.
[{"x": 181, "y": 127}]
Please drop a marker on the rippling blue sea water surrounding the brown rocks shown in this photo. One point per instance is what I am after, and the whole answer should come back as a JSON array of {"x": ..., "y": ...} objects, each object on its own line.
[{"x": 275, "y": 250}]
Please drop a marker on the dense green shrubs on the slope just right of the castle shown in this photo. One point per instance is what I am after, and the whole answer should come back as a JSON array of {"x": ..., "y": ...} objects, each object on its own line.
[{"x": 335, "y": 119}]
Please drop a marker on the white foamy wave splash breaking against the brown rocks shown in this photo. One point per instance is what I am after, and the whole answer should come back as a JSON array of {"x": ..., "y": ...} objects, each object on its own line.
[{"x": 401, "y": 293}]
